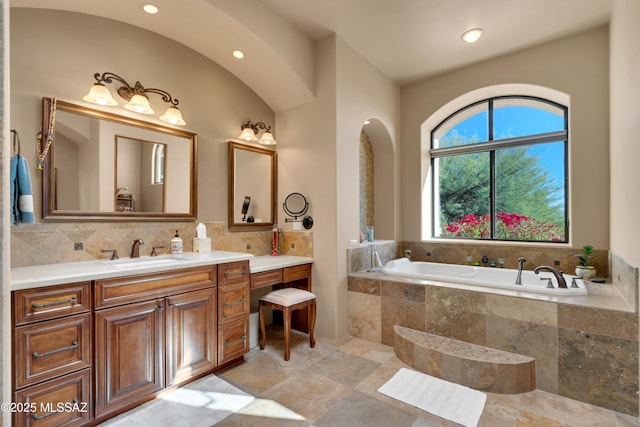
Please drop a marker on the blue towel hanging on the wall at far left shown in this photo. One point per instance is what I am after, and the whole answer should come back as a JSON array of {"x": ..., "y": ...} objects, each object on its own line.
[{"x": 21, "y": 194}]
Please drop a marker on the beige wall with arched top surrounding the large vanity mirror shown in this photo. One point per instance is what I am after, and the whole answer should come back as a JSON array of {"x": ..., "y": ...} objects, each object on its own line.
[{"x": 56, "y": 54}]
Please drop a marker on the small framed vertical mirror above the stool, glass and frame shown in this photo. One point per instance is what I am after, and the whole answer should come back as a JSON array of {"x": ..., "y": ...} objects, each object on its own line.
[{"x": 252, "y": 187}]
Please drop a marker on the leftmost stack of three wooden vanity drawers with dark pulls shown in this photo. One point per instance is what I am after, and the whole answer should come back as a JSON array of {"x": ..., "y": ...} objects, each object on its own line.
[{"x": 52, "y": 355}]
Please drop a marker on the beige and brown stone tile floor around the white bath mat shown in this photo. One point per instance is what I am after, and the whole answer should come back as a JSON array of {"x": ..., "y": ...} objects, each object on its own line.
[{"x": 336, "y": 384}]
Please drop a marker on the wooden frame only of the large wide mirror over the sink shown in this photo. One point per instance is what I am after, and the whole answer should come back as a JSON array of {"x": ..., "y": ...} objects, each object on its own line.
[{"x": 49, "y": 213}]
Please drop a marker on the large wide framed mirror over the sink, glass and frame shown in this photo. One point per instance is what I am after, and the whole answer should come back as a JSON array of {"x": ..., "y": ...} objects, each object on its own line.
[{"x": 103, "y": 166}]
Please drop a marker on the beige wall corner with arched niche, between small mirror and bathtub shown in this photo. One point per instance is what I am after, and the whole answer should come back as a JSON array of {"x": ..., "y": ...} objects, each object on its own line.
[{"x": 318, "y": 150}]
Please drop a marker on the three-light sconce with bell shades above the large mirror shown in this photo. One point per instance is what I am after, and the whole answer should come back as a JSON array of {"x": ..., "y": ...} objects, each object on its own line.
[{"x": 136, "y": 95}]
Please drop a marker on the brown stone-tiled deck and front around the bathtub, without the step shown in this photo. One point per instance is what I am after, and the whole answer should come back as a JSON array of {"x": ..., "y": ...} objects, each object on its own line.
[{"x": 585, "y": 348}]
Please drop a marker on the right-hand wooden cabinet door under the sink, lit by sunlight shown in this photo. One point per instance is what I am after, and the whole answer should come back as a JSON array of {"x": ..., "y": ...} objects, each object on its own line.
[{"x": 191, "y": 335}]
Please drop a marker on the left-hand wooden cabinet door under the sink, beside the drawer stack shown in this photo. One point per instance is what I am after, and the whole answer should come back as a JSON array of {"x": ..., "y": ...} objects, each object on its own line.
[{"x": 129, "y": 354}]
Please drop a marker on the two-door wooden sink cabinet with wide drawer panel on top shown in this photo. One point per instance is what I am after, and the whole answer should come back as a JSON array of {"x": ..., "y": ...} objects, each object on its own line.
[{"x": 148, "y": 326}]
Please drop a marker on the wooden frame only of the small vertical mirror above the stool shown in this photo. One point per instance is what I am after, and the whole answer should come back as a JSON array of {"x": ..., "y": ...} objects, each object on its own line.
[{"x": 231, "y": 203}]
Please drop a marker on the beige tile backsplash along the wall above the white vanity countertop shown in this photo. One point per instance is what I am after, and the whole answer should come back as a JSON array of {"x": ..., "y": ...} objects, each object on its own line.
[{"x": 50, "y": 243}]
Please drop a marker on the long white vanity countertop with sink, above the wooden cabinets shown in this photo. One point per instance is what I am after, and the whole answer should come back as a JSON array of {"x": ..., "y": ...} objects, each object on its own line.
[{"x": 71, "y": 272}]
